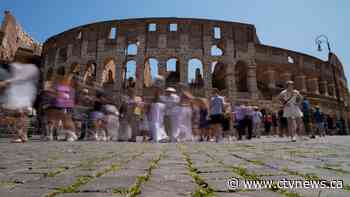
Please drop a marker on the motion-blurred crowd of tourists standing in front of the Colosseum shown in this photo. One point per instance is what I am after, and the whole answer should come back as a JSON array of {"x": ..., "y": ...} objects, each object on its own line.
[{"x": 171, "y": 115}]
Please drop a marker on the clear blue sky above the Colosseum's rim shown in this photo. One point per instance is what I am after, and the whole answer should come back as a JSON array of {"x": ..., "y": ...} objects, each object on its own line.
[{"x": 287, "y": 24}]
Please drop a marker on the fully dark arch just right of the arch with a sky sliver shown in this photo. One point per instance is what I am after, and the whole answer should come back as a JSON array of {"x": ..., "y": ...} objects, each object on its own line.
[{"x": 241, "y": 75}]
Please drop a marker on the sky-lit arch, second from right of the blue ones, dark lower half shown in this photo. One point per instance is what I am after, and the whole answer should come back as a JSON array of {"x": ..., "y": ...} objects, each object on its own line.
[{"x": 172, "y": 72}]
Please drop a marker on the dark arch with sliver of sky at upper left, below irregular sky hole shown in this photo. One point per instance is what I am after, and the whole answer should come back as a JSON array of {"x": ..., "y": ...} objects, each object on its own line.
[{"x": 219, "y": 75}]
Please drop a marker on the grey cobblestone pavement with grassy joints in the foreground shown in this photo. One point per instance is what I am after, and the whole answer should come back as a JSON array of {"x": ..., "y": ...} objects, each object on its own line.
[{"x": 95, "y": 169}]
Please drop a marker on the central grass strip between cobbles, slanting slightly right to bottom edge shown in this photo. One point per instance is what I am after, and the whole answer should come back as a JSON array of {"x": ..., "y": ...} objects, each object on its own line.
[{"x": 203, "y": 190}]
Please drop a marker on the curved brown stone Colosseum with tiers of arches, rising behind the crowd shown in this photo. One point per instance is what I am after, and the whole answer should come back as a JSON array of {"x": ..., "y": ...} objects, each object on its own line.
[{"x": 201, "y": 53}]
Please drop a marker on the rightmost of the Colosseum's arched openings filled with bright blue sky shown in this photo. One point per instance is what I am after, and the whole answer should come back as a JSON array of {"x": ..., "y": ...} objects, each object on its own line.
[{"x": 195, "y": 73}]
